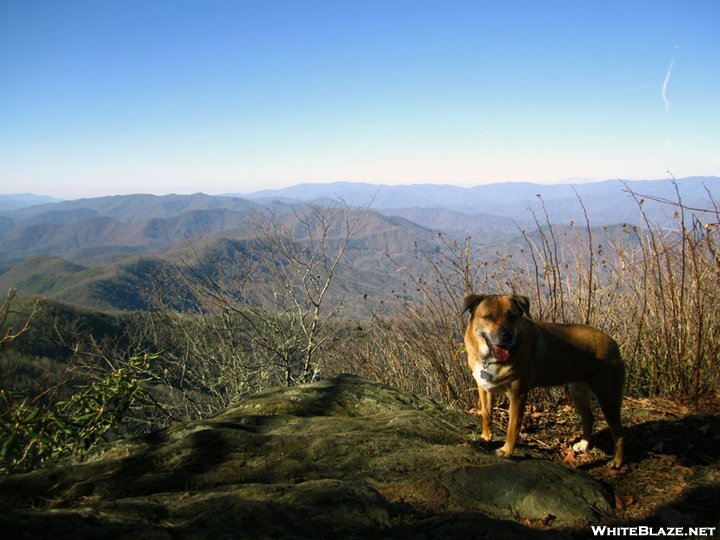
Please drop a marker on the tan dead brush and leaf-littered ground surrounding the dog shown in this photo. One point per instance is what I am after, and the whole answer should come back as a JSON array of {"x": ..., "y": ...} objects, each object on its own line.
[{"x": 655, "y": 290}]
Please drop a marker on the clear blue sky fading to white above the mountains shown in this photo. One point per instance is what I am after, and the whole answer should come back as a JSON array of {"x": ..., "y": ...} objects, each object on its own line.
[{"x": 108, "y": 97}]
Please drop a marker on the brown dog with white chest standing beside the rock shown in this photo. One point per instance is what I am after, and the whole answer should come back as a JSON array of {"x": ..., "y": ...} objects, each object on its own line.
[{"x": 509, "y": 353}]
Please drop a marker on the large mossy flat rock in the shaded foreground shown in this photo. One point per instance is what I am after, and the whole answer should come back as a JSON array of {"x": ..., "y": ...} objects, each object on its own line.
[{"x": 345, "y": 457}]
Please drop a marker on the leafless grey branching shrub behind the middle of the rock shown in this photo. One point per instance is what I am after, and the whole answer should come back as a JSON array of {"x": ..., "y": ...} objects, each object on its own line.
[{"x": 259, "y": 311}]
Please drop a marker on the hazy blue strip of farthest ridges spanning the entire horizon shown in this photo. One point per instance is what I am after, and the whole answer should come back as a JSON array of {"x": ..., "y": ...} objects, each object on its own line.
[{"x": 606, "y": 201}]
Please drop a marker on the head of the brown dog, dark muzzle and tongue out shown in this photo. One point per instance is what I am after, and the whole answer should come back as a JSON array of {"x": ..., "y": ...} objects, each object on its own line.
[{"x": 496, "y": 320}]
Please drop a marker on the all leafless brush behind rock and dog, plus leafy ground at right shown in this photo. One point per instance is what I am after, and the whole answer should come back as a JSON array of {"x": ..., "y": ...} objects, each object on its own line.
[{"x": 654, "y": 289}]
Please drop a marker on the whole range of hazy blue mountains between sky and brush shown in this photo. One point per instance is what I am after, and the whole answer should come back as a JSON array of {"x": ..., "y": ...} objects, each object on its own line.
[{"x": 102, "y": 251}]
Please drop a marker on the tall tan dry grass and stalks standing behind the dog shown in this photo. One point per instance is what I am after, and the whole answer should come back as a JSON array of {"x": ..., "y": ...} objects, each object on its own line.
[{"x": 654, "y": 289}]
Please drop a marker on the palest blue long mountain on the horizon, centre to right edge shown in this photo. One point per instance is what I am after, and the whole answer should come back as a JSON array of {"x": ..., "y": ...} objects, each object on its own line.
[{"x": 606, "y": 202}]
